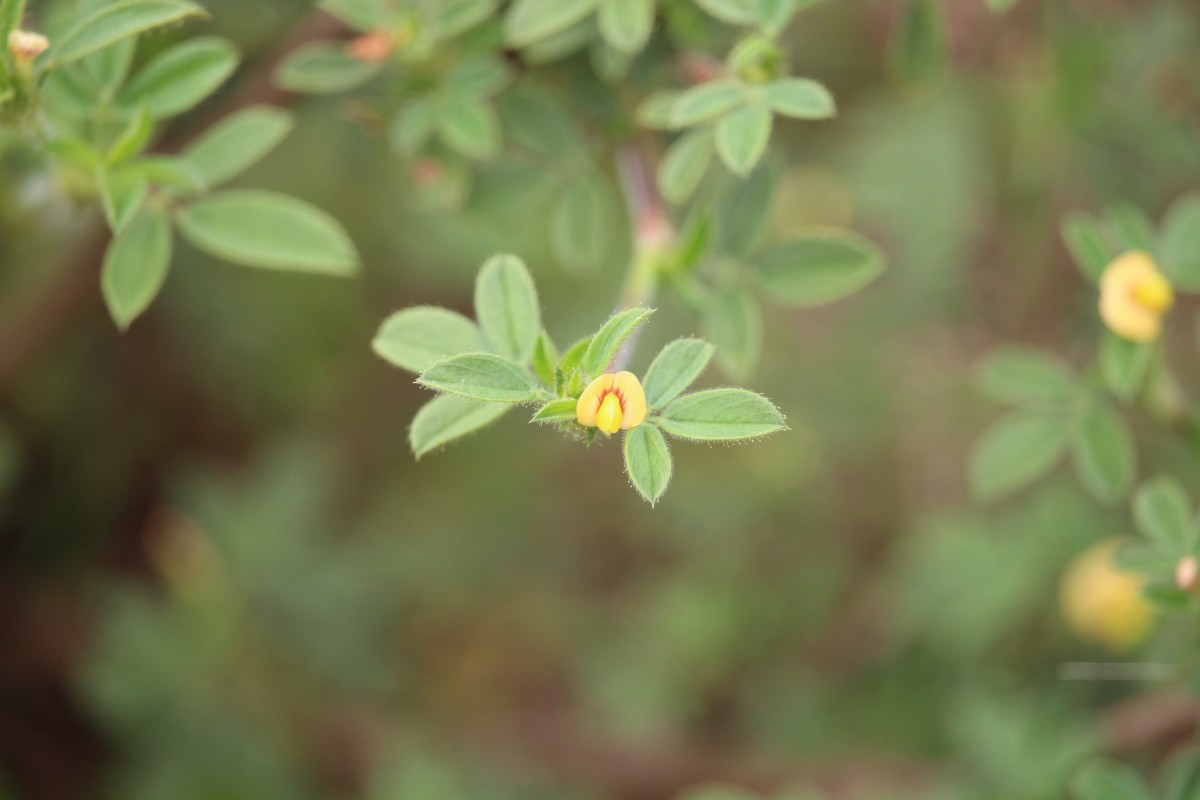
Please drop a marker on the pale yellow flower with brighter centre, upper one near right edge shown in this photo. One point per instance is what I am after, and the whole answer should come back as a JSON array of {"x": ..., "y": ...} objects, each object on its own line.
[{"x": 1135, "y": 296}]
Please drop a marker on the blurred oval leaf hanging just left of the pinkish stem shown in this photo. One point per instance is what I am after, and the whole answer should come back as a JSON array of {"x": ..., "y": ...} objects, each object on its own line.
[{"x": 584, "y": 224}]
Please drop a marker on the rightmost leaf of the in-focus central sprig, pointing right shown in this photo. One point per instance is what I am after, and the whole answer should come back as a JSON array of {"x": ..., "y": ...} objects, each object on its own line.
[{"x": 722, "y": 416}]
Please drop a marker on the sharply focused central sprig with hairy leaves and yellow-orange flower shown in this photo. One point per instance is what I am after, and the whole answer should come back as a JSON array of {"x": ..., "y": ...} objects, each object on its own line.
[{"x": 483, "y": 369}]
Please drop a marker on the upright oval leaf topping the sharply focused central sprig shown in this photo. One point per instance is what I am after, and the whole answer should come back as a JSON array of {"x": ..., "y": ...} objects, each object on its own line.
[{"x": 507, "y": 308}]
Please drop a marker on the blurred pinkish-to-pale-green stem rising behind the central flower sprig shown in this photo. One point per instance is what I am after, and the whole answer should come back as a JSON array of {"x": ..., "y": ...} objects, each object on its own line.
[{"x": 653, "y": 236}]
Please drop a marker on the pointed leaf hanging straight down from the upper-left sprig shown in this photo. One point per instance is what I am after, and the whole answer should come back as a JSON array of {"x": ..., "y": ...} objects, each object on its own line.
[{"x": 136, "y": 266}]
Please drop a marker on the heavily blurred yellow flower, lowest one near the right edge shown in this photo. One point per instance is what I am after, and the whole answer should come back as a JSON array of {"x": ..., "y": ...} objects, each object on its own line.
[{"x": 1102, "y": 604}]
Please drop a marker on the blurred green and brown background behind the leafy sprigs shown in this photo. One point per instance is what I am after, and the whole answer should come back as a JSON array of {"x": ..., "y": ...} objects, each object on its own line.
[{"x": 223, "y": 575}]
